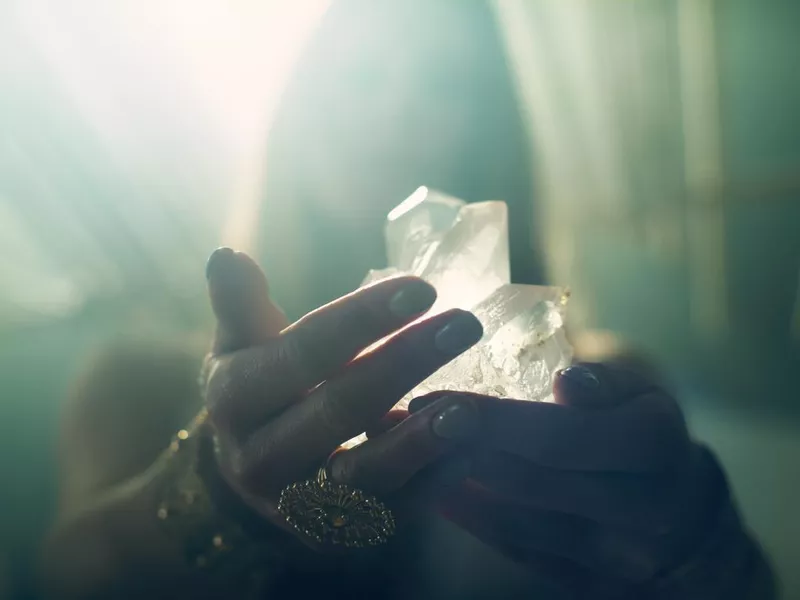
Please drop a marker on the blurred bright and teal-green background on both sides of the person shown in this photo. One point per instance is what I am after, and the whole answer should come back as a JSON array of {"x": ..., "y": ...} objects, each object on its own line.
[{"x": 666, "y": 154}]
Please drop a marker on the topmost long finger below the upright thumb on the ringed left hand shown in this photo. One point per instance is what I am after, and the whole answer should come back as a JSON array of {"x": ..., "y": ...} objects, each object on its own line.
[{"x": 255, "y": 384}]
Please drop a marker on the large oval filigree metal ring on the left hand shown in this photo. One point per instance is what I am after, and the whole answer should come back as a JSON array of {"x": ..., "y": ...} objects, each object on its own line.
[{"x": 335, "y": 514}]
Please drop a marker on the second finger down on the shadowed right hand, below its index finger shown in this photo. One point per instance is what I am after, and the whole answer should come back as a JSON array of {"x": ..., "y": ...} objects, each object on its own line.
[{"x": 643, "y": 503}]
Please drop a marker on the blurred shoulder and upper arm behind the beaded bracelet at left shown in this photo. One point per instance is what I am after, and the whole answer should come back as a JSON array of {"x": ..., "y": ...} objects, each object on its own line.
[{"x": 120, "y": 413}]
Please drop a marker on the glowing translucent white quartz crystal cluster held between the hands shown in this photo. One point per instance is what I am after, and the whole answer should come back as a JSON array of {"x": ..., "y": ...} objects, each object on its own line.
[{"x": 462, "y": 250}]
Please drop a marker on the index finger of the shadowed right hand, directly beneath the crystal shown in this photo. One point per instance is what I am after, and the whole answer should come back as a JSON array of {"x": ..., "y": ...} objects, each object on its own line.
[{"x": 644, "y": 435}]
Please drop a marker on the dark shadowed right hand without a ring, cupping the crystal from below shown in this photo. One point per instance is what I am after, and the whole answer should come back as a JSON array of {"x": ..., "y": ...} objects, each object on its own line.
[{"x": 602, "y": 490}]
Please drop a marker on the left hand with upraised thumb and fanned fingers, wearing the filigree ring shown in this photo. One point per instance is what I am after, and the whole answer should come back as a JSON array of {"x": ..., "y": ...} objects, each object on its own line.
[{"x": 281, "y": 399}]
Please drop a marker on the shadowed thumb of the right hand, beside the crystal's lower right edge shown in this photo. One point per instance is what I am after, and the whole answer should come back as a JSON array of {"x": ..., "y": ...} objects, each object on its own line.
[{"x": 597, "y": 385}]
